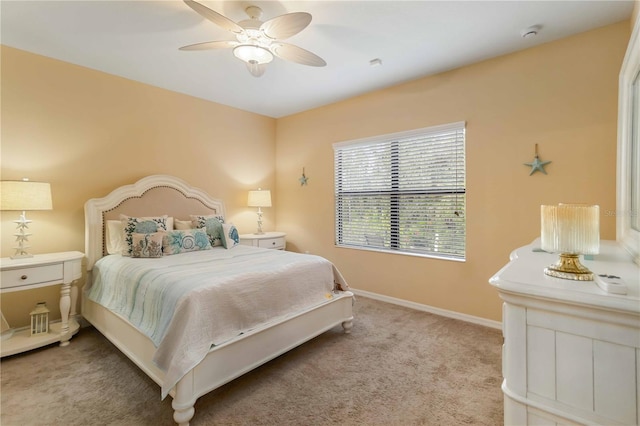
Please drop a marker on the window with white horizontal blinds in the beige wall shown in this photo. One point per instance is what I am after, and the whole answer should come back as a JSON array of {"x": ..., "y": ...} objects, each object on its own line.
[{"x": 403, "y": 193}]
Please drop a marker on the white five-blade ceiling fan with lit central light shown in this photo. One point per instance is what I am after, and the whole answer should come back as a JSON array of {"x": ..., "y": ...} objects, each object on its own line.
[{"x": 258, "y": 42}]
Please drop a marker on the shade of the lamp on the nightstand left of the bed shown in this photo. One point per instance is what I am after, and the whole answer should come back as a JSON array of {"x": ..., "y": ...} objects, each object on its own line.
[{"x": 25, "y": 195}]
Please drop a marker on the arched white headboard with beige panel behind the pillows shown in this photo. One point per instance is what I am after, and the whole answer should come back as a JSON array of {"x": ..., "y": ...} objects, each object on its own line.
[{"x": 150, "y": 196}]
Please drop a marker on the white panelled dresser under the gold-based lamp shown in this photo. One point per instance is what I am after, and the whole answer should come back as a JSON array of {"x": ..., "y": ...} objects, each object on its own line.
[{"x": 571, "y": 353}]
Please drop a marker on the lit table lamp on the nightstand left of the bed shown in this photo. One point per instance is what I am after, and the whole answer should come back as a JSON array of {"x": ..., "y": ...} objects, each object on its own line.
[{"x": 23, "y": 195}]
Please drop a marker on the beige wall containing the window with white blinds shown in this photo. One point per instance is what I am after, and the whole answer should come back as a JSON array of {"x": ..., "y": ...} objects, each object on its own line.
[{"x": 561, "y": 96}]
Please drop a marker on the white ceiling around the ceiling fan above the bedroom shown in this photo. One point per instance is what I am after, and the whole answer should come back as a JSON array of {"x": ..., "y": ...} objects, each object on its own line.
[{"x": 139, "y": 40}]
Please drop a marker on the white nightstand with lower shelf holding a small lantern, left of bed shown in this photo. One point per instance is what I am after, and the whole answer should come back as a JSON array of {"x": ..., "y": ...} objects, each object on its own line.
[{"x": 42, "y": 270}]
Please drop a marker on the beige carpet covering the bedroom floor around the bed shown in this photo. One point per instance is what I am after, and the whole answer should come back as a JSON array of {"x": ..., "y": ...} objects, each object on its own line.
[{"x": 398, "y": 367}]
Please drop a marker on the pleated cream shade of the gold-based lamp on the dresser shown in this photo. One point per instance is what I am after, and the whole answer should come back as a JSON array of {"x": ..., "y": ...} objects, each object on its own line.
[{"x": 570, "y": 228}]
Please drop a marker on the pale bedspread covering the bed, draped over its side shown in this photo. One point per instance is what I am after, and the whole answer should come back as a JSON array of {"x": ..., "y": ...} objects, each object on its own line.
[{"x": 188, "y": 302}]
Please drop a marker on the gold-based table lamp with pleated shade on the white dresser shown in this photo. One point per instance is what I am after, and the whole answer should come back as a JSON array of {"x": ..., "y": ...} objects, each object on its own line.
[{"x": 570, "y": 230}]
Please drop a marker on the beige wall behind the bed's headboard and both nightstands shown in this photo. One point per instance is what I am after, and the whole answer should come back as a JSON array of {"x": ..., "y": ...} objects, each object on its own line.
[{"x": 87, "y": 132}]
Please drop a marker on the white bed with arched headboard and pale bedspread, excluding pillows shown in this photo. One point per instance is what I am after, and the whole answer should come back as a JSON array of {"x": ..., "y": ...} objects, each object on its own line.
[{"x": 213, "y": 357}]
